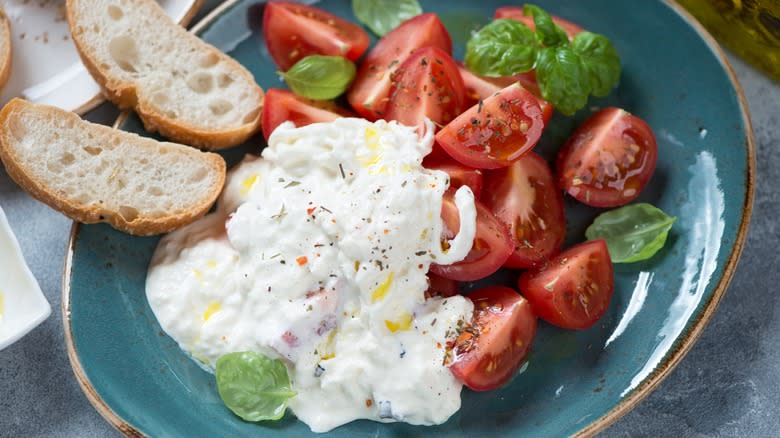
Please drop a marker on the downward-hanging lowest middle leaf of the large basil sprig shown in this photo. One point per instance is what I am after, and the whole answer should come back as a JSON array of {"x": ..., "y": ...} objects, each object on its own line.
[{"x": 563, "y": 79}]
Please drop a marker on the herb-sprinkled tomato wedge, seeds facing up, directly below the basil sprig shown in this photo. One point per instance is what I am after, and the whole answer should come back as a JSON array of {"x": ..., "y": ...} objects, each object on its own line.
[{"x": 496, "y": 131}]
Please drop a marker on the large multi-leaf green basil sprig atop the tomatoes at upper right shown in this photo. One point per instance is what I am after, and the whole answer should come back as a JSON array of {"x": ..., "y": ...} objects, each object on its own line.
[{"x": 567, "y": 72}]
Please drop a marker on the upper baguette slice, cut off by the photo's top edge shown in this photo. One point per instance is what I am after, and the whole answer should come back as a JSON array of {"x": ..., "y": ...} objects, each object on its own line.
[{"x": 181, "y": 87}]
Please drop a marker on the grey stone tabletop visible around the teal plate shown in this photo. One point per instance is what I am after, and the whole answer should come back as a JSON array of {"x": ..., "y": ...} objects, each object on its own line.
[{"x": 727, "y": 385}]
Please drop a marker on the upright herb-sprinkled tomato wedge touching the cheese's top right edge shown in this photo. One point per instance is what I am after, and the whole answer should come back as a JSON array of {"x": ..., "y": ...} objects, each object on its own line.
[{"x": 426, "y": 85}]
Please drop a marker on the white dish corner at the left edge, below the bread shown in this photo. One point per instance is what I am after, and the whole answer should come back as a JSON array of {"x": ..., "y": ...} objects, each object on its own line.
[{"x": 22, "y": 304}]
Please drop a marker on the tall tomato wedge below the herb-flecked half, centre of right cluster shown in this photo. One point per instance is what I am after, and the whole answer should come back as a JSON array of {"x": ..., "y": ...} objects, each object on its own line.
[{"x": 526, "y": 199}]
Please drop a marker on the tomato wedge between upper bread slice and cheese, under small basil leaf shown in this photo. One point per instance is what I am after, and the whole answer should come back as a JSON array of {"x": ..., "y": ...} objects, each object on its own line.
[{"x": 281, "y": 105}]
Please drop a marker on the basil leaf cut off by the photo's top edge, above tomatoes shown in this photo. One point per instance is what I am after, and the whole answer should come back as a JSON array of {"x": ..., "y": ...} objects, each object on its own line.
[{"x": 382, "y": 16}]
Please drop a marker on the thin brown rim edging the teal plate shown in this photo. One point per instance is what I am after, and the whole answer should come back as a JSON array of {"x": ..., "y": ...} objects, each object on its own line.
[{"x": 661, "y": 371}]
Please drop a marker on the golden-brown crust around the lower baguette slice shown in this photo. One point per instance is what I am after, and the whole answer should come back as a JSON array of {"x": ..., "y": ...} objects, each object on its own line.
[{"x": 88, "y": 214}]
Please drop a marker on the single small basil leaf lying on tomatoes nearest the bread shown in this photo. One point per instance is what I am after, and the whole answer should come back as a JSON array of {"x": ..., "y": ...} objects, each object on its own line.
[{"x": 320, "y": 77}]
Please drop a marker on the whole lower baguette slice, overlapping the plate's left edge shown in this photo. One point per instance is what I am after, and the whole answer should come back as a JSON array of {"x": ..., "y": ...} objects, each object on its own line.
[{"x": 92, "y": 173}]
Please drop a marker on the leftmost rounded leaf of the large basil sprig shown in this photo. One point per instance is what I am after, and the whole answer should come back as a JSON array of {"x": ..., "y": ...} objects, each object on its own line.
[{"x": 502, "y": 48}]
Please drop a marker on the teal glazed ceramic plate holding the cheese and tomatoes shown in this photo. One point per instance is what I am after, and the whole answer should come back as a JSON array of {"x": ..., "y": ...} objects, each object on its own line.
[{"x": 674, "y": 76}]
